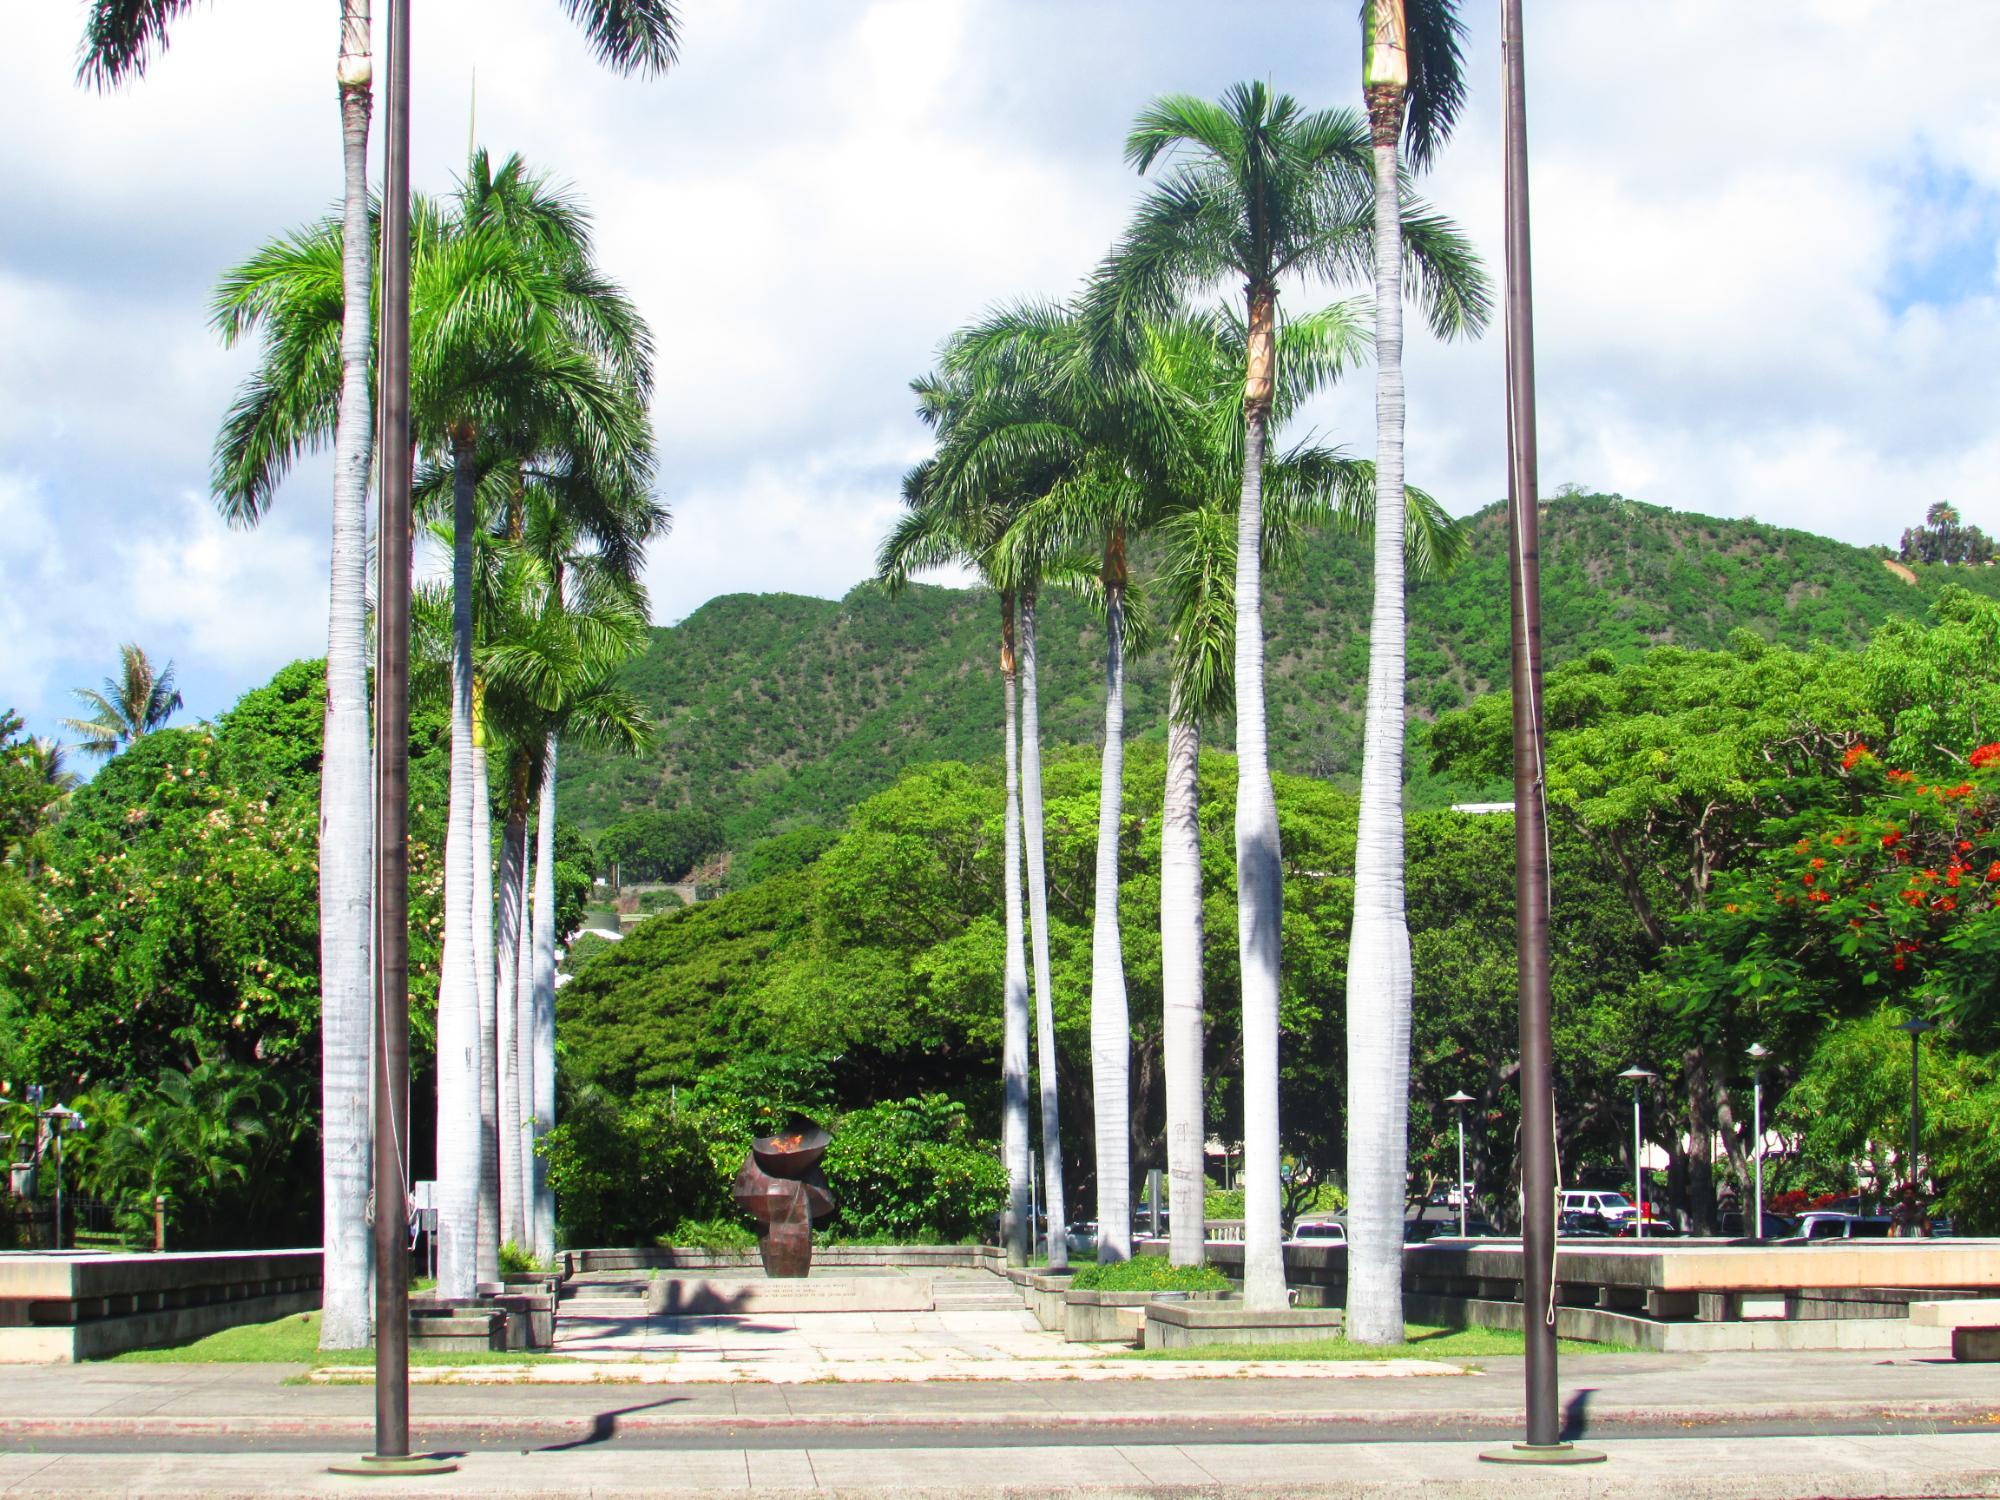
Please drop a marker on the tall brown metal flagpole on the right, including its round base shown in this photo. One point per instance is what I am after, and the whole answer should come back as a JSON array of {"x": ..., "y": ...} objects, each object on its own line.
[{"x": 1531, "y": 813}]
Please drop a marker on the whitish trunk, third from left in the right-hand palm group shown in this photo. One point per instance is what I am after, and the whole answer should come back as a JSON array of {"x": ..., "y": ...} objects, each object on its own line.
[{"x": 1111, "y": 1019}]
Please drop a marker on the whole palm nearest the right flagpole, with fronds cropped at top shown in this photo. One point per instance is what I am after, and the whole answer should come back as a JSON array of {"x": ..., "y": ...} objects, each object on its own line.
[{"x": 1413, "y": 81}]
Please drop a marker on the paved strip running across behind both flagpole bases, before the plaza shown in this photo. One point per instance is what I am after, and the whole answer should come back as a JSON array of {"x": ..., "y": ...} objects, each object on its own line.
[{"x": 1603, "y": 1393}]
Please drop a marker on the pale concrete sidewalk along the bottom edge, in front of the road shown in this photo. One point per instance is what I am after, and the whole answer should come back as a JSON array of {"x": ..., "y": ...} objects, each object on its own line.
[{"x": 1713, "y": 1469}]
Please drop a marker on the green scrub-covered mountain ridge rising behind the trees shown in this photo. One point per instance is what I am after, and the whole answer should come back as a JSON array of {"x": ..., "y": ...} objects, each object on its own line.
[{"x": 781, "y": 711}]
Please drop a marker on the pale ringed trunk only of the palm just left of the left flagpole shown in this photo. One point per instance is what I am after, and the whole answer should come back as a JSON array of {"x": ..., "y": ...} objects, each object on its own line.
[{"x": 347, "y": 821}]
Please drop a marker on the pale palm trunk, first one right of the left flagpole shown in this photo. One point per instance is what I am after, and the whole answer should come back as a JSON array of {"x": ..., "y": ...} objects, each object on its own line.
[{"x": 459, "y": 1021}]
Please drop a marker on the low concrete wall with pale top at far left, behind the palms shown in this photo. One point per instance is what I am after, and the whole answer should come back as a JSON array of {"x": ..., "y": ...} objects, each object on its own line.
[{"x": 87, "y": 1307}]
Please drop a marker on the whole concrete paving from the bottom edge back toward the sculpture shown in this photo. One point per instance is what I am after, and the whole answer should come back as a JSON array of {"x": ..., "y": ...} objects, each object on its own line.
[{"x": 975, "y": 1401}]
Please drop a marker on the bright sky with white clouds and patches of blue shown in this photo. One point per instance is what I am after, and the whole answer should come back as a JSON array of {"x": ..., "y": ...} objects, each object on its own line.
[{"x": 1765, "y": 267}]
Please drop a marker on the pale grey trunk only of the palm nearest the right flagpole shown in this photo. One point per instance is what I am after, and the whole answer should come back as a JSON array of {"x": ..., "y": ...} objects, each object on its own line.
[{"x": 1379, "y": 955}]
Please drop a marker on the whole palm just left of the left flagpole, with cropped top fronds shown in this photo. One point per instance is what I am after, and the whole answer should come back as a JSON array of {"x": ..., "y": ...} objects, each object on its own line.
[{"x": 119, "y": 41}]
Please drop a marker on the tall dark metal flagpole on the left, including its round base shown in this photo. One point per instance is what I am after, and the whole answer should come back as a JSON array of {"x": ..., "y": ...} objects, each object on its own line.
[{"x": 393, "y": 797}]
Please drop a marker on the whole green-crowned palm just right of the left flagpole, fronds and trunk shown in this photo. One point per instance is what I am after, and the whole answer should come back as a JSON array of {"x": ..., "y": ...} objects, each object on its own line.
[{"x": 505, "y": 337}]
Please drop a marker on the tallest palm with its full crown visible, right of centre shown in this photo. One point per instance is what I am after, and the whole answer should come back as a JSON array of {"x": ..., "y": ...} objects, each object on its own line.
[{"x": 1263, "y": 191}]
